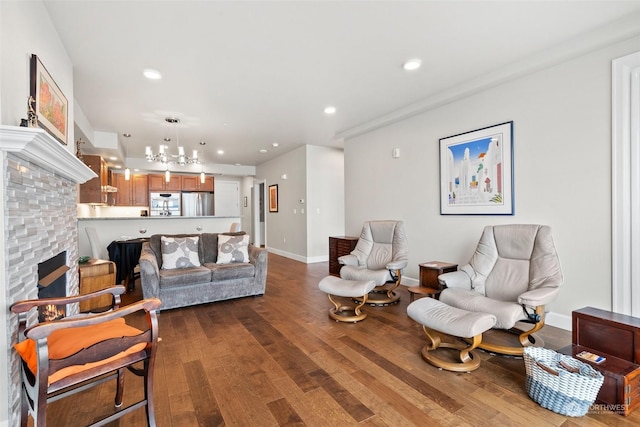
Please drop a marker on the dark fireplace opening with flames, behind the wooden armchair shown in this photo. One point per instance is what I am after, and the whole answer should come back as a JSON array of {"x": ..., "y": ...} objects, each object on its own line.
[{"x": 52, "y": 282}]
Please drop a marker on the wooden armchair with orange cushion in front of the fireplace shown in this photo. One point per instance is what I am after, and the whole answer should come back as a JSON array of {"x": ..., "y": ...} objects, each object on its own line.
[{"x": 69, "y": 355}]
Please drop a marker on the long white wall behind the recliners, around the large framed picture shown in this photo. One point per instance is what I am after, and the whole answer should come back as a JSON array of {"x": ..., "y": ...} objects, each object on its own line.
[{"x": 562, "y": 167}]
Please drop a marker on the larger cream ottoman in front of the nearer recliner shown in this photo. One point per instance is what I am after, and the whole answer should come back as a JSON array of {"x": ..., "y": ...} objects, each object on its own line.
[{"x": 437, "y": 317}]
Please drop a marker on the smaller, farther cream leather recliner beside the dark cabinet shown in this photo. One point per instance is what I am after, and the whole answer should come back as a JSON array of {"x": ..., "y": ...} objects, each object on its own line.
[{"x": 380, "y": 255}]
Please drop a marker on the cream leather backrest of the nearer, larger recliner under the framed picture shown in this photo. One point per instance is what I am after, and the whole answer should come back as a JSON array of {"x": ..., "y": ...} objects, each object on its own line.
[{"x": 511, "y": 259}]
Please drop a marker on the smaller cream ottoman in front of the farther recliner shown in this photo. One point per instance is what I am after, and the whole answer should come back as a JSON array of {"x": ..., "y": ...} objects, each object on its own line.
[{"x": 335, "y": 286}]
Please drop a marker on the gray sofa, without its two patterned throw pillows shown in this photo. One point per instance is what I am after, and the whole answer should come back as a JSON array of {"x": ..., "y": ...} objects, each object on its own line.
[{"x": 209, "y": 282}]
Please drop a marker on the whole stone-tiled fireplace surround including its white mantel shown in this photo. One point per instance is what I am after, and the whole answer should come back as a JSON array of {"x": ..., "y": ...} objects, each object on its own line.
[{"x": 39, "y": 192}]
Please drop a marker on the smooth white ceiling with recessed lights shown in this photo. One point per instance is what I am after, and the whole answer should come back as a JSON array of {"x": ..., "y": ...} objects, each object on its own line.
[{"x": 242, "y": 75}]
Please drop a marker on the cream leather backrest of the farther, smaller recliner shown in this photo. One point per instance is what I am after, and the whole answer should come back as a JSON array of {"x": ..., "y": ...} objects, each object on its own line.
[{"x": 381, "y": 242}]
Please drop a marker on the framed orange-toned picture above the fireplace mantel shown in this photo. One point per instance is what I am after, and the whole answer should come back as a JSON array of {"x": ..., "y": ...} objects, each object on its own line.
[{"x": 51, "y": 106}]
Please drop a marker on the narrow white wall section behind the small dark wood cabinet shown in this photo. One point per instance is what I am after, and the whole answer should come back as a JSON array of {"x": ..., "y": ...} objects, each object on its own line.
[{"x": 324, "y": 205}]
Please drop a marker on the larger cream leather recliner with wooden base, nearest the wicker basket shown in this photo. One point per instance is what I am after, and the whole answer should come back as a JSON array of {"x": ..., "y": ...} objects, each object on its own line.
[{"x": 513, "y": 274}]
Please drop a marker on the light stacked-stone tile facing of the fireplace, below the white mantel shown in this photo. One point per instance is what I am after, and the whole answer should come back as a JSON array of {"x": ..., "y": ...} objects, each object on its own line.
[{"x": 40, "y": 222}]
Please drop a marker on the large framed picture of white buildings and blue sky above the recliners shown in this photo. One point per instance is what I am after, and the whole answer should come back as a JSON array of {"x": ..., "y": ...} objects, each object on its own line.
[{"x": 476, "y": 172}]
